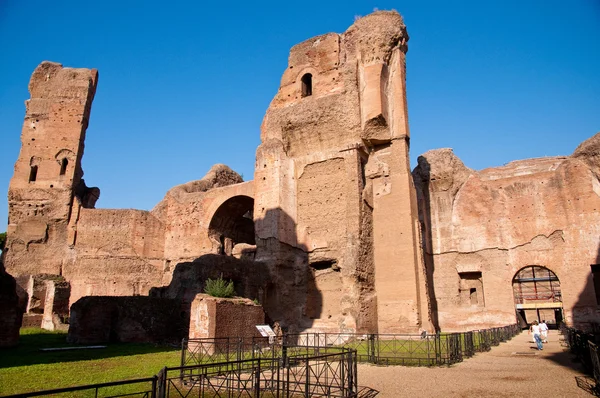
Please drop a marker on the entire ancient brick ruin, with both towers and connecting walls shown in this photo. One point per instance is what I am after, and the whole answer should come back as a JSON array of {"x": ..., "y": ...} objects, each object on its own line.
[{"x": 331, "y": 234}]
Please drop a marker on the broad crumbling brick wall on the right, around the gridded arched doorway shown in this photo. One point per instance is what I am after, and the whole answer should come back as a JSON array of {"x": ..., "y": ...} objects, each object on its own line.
[{"x": 497, "y": 221}]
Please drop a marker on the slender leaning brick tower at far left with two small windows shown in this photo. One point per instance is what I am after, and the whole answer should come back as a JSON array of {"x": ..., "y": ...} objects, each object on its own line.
[{"x": 47, "y": 188}]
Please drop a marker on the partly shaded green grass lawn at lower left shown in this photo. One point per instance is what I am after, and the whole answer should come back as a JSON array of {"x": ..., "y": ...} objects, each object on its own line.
[{"x": 25, "y": 368}]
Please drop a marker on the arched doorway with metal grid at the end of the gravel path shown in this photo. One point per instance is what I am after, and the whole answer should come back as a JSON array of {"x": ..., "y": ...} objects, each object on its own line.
[{"x": 537, "y": 296}]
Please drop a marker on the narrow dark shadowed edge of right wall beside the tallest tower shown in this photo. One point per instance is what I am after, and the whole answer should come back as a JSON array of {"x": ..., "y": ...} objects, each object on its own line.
[{"x": 421, "y": 177}]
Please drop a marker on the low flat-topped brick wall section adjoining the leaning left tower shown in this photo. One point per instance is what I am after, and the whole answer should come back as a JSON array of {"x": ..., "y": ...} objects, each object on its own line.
[{"x": 118, "y": 253}]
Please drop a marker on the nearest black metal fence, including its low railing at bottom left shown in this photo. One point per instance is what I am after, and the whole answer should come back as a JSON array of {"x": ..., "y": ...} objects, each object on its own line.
[{"x": 299, "y": 372}]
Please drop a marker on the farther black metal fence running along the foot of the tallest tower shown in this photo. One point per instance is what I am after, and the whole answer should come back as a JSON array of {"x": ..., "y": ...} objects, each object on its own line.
[{"x": 382, "y": 349}]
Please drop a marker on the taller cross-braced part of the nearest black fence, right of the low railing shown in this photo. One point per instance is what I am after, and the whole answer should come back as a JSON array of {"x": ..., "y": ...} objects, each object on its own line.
[{"x": 304, "y": 372}]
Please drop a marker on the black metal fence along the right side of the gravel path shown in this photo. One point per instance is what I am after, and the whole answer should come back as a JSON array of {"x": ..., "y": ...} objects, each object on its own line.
[{"x": 585, "y": 347}]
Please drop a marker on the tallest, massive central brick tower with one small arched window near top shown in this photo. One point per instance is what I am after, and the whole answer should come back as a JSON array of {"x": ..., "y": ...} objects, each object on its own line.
[{"x": 335, "y": 207}]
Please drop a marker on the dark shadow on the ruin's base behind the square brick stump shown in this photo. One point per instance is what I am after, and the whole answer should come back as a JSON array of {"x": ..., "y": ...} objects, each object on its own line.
[{"x": 280, "y": 280}]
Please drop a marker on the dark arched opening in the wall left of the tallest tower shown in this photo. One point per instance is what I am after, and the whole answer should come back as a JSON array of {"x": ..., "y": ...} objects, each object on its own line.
[{"x": 232, "y": 223}]
